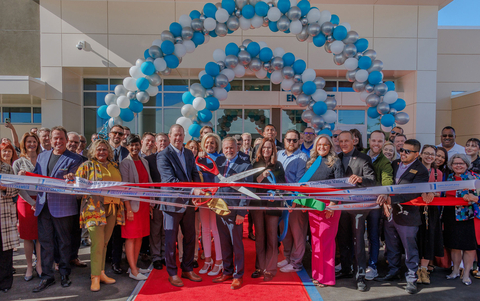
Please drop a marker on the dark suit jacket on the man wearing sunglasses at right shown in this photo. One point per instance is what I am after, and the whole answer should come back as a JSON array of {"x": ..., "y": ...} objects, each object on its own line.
[{"x": 406, "y": 215}]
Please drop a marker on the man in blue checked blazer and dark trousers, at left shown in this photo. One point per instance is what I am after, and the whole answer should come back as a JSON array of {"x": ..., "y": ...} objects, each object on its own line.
[{"x": 56, "y": 212}]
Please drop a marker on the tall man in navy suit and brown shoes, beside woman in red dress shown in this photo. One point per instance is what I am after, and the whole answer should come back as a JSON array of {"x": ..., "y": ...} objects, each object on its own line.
[{"x": 177, "y": 164}]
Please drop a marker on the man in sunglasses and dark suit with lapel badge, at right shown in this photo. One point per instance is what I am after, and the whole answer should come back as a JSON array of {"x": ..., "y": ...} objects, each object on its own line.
[{"x": 401, "y": 230}]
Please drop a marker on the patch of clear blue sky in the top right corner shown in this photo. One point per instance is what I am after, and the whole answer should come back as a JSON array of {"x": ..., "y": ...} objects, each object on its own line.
[{"x": 460, "y": 13}]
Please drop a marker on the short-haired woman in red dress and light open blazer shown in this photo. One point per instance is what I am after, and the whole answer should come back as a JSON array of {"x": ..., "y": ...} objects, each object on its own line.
[{"x": 134, "y": 169}]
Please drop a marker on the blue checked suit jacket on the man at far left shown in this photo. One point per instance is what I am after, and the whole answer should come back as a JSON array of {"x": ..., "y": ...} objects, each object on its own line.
[{"x": 60, "y": 205}]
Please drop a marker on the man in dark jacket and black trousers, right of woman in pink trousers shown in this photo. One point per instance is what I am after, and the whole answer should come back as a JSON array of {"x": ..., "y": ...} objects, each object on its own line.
[{"x": 358, "y": 167}]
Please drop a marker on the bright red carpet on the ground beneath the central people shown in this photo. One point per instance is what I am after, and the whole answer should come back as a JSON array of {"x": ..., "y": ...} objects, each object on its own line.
[{"x": 284, "y": 286}]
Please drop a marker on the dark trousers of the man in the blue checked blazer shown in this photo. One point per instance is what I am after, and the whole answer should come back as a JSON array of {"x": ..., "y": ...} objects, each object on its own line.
[{"x": 50, "y": 229}]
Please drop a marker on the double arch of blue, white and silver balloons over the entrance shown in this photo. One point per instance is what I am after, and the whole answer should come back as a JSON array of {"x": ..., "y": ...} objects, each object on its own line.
[{"x": 309, "y": 24}]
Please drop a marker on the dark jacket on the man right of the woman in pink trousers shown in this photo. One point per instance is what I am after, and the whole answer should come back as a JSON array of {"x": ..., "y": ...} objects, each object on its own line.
[{"x": 360, "y": 165}]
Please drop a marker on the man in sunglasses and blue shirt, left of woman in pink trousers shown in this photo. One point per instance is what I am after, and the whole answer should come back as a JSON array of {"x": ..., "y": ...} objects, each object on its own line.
[{"x": 294, "y": 163}]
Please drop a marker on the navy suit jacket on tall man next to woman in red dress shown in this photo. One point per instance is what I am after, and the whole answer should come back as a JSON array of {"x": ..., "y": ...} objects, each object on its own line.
[{"x": 171, "y": 171}]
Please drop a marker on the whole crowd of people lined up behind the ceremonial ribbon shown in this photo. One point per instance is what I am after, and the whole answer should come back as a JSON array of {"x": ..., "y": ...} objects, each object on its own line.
[{"x": 53, "y": 226}]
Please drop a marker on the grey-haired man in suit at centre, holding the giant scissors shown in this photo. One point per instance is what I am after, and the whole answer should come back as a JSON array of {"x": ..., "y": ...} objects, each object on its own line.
[{"x": 230, "y": 227}]
